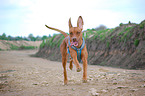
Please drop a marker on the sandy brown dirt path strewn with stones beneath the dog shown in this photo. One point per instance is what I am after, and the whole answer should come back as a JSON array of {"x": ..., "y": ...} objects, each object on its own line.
[{"x": 22, "y": 75}]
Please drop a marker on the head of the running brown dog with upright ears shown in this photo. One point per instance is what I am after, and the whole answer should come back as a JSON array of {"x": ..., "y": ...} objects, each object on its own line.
[{"x": 75, "y": 33}]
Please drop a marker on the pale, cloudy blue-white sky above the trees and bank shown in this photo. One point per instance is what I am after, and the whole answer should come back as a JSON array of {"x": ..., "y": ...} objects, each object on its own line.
[{"x": 23, "y": 17}]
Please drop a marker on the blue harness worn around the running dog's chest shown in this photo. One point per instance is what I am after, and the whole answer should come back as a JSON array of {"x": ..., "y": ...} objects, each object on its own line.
[{"x": 79, "y": 50}]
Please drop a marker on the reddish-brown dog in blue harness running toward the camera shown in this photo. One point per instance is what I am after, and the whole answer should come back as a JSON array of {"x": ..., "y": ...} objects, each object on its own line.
[{"x": 74, "y": 44}]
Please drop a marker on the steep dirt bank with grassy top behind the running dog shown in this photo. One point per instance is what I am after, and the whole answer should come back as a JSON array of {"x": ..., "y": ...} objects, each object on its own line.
[{"x": 120, "y": 47}]
